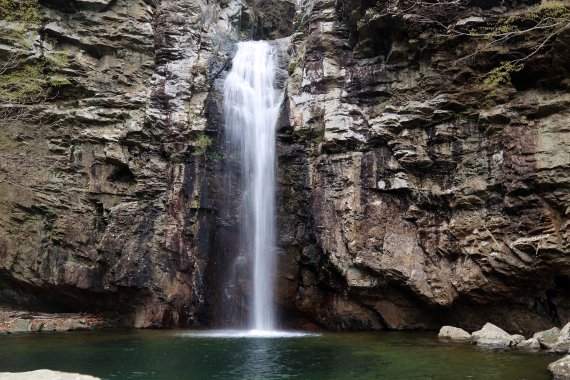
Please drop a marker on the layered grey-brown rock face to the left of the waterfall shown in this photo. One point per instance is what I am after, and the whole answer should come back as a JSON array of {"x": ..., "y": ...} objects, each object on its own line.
[{"x": 109, "y": 198}]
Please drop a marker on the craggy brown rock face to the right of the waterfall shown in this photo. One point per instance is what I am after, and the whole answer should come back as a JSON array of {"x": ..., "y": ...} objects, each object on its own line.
[{"x": 423, "y": 198}]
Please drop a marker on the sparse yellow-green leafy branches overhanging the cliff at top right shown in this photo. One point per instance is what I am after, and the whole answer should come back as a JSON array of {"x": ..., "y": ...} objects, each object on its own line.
[{"x": 511, "y": 35}]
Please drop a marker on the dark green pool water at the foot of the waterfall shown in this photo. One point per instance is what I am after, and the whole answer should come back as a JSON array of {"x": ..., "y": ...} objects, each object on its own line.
[{"x": 181, "y": 354}]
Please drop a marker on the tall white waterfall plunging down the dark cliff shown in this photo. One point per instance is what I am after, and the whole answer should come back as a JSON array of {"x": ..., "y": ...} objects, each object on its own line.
[{"x": 251, "y": 114}]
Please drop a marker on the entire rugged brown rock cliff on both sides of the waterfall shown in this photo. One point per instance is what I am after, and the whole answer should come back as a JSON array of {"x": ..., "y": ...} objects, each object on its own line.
[{"x": 411, "y": 195}]
